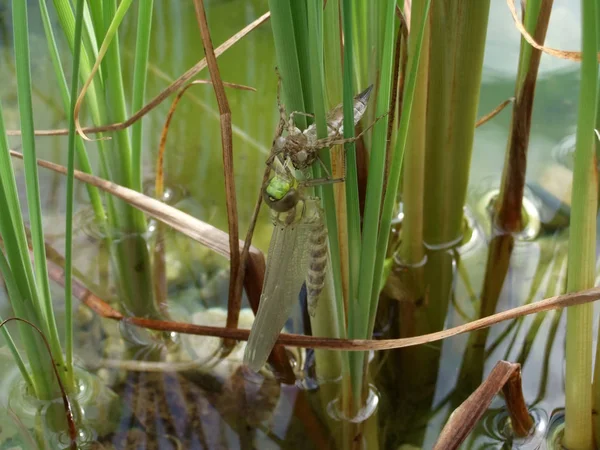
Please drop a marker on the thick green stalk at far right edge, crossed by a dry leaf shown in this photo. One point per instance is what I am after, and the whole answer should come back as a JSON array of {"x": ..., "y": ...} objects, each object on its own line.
[{"x": 582, "y": 253}]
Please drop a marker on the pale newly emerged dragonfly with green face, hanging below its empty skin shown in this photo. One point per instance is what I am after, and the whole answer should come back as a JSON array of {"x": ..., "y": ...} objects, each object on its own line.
[{"x": 298, "y": 253}]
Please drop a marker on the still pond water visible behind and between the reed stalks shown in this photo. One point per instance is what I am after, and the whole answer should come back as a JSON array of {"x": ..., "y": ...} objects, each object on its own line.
[{"x": 203, "y": 407}]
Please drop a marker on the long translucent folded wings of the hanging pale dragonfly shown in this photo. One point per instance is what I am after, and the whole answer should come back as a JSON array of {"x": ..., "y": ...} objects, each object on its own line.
[{"x": 287, "y": 263}]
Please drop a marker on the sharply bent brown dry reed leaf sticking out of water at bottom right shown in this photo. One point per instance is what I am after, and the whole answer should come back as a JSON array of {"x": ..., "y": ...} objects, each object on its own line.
[{"x": 504, "y": 376}]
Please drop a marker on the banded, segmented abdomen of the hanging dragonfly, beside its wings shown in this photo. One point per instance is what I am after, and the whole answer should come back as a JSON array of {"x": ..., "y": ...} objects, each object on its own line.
[{"x": 317, "y": 265}]
